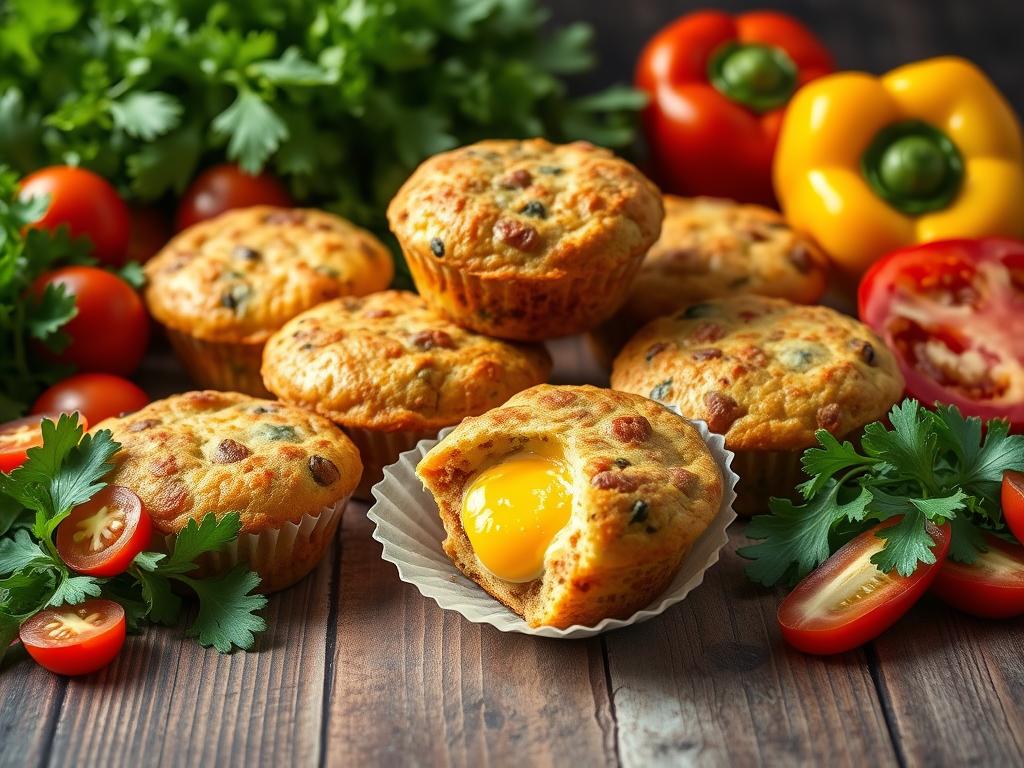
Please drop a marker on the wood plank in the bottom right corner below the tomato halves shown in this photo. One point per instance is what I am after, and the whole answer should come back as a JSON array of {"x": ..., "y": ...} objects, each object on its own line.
[{"x": 954, "y": 688}]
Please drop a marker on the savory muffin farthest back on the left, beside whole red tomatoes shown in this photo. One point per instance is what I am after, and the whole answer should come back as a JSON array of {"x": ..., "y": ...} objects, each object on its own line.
[{"x": 224, "y": 286}]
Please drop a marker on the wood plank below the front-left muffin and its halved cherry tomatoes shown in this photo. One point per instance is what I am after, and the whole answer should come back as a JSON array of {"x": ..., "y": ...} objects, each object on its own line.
[{"x": 167, "y": 701}]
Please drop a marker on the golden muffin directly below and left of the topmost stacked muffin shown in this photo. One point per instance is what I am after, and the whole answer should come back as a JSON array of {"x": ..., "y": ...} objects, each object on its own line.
[{"x": 392, "y": 372}]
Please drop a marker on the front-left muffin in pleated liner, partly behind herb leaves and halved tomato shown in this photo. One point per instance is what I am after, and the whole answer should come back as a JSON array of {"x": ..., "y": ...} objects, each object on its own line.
[{"x": 286, "y": 472}]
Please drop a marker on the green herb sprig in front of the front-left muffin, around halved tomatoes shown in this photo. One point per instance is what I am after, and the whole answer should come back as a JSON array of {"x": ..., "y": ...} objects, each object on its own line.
[{"x": 68, "y": 471}]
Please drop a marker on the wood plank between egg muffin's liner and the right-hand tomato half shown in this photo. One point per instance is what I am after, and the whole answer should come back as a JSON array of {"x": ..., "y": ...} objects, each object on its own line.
[{"x": 710, "y": 682}]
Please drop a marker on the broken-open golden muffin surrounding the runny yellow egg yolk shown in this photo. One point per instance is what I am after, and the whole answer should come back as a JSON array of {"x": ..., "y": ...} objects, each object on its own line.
[{"x": 644, "y": 487}]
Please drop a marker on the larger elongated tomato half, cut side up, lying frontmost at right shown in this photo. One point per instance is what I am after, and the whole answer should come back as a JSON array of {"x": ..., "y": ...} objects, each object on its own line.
[{"x": 848, "y": 602}]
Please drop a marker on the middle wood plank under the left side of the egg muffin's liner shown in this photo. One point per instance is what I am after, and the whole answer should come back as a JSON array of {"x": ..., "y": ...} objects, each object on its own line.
[{"x": 413, "y": 684}]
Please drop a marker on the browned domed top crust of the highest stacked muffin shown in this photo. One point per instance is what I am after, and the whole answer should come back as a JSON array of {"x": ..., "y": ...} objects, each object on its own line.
[{"x": 530, "y": 209}]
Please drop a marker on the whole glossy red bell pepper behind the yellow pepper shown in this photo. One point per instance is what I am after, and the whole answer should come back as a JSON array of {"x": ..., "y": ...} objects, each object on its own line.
[{"x": 718, "y": 88}]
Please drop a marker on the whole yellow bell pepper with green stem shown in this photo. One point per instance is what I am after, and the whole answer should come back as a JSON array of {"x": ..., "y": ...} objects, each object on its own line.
[{"x": 929, "y": 152}]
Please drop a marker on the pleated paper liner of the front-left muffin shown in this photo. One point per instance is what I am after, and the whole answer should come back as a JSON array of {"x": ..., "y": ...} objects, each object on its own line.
[{"x": 281, "y": 557}]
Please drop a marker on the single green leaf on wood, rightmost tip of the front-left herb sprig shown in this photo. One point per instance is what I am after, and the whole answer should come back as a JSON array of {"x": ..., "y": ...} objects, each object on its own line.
[{"x": 228, "y": 610}]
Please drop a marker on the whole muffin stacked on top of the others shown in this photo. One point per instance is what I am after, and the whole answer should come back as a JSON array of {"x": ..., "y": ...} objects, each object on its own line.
[{"x": 526, "y": 240}]
